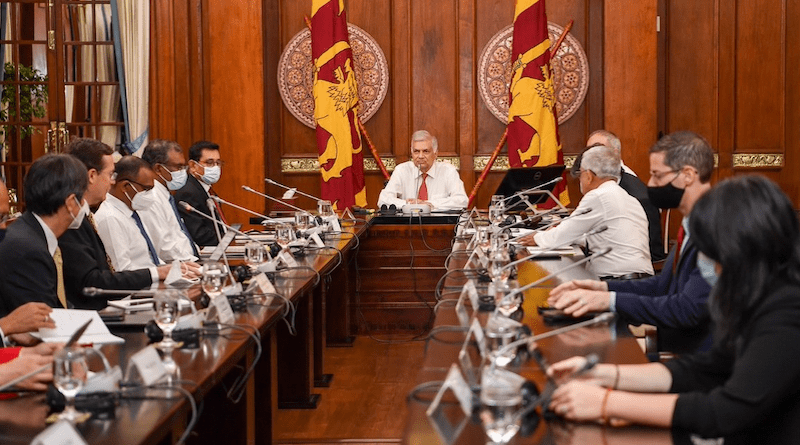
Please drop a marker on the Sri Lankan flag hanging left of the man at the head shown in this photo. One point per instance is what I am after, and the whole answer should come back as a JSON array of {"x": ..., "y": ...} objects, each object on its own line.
[{"x": 336, "y": 105}]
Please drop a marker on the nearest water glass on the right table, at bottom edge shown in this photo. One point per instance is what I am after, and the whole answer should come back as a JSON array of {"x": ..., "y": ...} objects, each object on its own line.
[{"x": 501, "y": 399}]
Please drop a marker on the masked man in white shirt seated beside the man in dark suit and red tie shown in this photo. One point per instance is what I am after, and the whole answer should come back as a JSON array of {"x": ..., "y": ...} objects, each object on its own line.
[{"x": 163, "y": 221}]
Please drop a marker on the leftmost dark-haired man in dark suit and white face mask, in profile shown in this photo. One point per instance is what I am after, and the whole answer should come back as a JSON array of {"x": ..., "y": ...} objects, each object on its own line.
[{"x": 30, "y": 258}]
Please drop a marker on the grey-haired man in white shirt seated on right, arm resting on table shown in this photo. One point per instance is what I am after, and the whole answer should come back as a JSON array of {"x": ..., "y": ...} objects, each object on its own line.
[{"x": 611, "y": 206}]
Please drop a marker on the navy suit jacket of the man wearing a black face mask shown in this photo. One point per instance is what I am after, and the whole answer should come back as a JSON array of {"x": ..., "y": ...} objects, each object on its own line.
[{"x": 676, "y": 303}]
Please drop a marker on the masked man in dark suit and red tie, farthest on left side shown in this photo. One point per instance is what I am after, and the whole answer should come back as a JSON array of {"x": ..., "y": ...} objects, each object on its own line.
[{"x": 205, "y": 168}]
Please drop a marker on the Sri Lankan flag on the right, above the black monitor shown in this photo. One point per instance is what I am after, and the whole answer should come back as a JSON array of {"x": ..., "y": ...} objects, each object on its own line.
[{"x": 532, "y": 122}]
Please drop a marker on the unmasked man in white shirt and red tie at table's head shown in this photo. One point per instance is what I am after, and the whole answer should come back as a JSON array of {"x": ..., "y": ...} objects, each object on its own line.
[{"x": 422, "y": 180}]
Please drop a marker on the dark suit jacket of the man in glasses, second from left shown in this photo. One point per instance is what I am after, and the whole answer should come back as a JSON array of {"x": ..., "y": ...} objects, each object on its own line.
[{"x": 85, "y": 265}]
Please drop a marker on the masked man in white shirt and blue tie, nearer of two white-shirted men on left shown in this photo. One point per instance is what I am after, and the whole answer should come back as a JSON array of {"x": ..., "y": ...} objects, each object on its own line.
[{"x": 128, "y": 244}]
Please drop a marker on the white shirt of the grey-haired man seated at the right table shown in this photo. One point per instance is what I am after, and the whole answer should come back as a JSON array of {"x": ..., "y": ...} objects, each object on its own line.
[{"x": 627, "y": 234}]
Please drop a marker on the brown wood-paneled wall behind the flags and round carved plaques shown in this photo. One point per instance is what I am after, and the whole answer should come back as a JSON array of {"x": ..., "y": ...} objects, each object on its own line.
[{"x": 726, "y": 76}]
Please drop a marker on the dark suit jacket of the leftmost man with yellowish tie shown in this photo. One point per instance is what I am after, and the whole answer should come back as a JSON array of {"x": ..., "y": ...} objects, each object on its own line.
[{"x": 28, "y": 269}]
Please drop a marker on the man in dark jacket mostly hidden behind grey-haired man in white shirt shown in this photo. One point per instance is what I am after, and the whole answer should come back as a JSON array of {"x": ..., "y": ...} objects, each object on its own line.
[{"x": 636, "y": 188}]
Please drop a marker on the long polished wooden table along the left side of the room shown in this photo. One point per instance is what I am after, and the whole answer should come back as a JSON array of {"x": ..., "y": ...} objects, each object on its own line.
[{"x": 285, "y": 376}]
